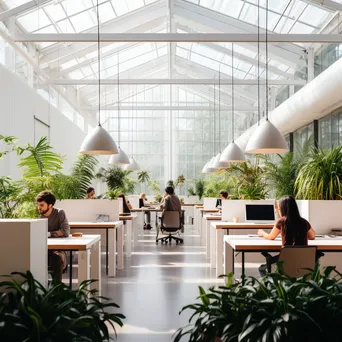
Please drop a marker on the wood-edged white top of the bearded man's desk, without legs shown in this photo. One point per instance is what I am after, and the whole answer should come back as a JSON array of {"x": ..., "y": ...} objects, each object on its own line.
[{"x": 73, "y": 243}]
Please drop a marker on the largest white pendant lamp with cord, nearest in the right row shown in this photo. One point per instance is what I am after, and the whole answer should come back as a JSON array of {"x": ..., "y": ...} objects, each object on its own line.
[{"x": 266, "y": 138}]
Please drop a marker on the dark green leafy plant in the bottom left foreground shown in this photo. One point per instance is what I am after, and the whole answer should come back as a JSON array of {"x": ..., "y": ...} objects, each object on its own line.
[{"x": 29, "y": 312}]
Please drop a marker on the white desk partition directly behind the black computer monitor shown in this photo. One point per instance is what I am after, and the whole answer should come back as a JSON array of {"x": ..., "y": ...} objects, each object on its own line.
[{"x": 236, "y": 208}]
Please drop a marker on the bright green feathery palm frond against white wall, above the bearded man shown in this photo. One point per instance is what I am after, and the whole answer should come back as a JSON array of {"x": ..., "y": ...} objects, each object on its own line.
[{"x": 41, "y": 161}]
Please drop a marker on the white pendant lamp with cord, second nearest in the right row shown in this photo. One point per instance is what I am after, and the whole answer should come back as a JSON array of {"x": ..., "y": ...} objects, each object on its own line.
[{"x": 233, "y": 153}]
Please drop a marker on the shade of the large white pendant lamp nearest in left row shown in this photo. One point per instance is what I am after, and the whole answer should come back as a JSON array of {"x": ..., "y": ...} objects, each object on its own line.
[{"x": 99, "y": 141}]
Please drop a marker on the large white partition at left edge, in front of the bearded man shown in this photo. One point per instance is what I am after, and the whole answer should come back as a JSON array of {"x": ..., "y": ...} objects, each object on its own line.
[{"x": 23, "y": 247}]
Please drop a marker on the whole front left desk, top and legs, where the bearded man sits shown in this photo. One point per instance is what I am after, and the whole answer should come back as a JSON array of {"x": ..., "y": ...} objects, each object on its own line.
[{"x": 89, "y": 256}]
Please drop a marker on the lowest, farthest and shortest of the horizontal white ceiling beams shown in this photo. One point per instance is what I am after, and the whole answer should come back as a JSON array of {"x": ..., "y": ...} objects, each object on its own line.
[{"x": 157, "y": 107}]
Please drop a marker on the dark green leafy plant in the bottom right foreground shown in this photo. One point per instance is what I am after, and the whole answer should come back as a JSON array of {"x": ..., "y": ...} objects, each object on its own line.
[{"x": 273, "y": 309}]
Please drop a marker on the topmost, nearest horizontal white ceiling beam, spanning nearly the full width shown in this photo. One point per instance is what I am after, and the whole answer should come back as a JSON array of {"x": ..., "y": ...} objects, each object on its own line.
[{"x": 178, "y": 37}]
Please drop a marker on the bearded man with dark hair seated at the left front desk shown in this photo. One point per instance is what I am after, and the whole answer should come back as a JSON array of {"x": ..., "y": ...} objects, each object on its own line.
[{"x": 58, "y": 226}]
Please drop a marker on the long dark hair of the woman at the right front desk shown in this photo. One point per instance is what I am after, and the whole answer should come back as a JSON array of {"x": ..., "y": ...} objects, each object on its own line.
[{"x": 294, "y": 231}]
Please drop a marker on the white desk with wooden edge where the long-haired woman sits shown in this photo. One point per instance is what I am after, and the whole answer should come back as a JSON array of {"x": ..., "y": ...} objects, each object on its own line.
[{"x": 252, "y": 244}]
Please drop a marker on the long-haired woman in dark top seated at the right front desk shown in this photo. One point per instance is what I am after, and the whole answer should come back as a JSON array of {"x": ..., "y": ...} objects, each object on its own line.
[{"x": 294, "y": 230}]
